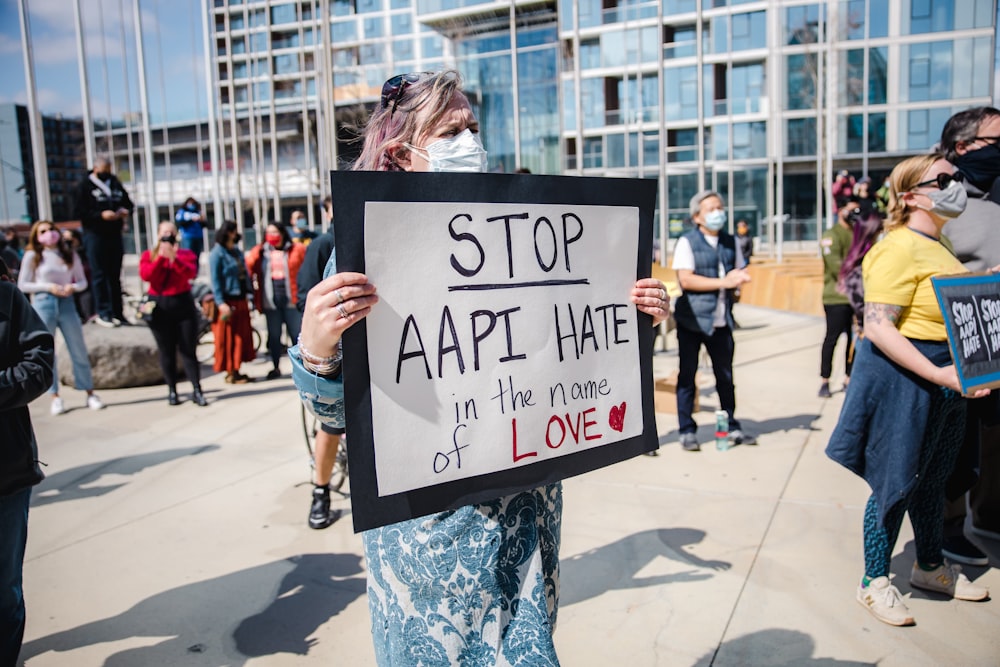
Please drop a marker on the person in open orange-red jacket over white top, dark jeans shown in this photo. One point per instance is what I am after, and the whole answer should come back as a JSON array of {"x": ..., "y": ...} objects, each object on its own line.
[{"x": 274, "y": 267}]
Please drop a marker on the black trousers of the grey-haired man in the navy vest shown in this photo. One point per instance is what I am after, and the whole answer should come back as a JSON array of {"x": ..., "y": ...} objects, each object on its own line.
[{"x": 720, "y": 349}]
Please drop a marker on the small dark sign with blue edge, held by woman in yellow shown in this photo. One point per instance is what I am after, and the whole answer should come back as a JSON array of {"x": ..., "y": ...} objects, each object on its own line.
[{"x": 970, "y": 304}]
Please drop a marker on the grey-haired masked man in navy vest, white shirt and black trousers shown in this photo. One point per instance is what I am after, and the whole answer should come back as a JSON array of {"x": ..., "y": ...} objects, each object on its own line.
[{"x": 709, "y": 268}]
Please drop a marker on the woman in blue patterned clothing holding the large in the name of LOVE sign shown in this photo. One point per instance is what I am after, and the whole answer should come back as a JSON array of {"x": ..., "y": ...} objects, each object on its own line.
[{"x": 476, "y": 585}]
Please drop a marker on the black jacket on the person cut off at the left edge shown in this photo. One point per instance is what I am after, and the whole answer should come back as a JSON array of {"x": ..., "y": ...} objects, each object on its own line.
[{"x": 27, "y": 356}]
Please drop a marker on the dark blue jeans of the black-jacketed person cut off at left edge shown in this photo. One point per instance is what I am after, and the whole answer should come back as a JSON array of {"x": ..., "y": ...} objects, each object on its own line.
[{"x": 13, "y": 537}]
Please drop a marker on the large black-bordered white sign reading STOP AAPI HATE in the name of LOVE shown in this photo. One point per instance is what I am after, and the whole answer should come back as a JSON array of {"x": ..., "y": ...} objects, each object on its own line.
[{"x": 504, "y": 353}]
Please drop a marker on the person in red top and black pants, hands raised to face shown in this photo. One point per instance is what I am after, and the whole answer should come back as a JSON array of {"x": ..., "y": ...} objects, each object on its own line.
[{"x": 169, "y": 270}]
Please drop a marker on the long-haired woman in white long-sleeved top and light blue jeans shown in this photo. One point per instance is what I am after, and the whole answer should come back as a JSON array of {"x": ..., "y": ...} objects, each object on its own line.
[{"x": 51, "y": 273}]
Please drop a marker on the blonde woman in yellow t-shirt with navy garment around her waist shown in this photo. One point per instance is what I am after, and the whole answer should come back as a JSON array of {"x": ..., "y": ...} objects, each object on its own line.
[{"x": 902, "y": 422}]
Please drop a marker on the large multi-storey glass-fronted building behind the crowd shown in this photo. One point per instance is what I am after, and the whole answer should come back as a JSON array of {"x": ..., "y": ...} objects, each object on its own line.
[{"x": 761, "y": 100}]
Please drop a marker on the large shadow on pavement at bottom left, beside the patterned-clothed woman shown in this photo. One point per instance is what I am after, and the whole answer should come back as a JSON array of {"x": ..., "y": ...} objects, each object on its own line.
[{"x": 264, "y": 610}]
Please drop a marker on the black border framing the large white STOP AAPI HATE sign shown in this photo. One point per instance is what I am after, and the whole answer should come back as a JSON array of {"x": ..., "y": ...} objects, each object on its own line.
[{"x": 350, "y": 192}]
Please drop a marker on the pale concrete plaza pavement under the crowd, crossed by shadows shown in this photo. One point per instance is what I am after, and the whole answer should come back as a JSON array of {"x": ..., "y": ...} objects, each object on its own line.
[{"x": 177, "y": 536}]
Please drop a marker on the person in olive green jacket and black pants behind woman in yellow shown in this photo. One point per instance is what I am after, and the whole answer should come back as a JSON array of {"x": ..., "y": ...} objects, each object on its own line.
[{"x": 834, "y": 245}]
